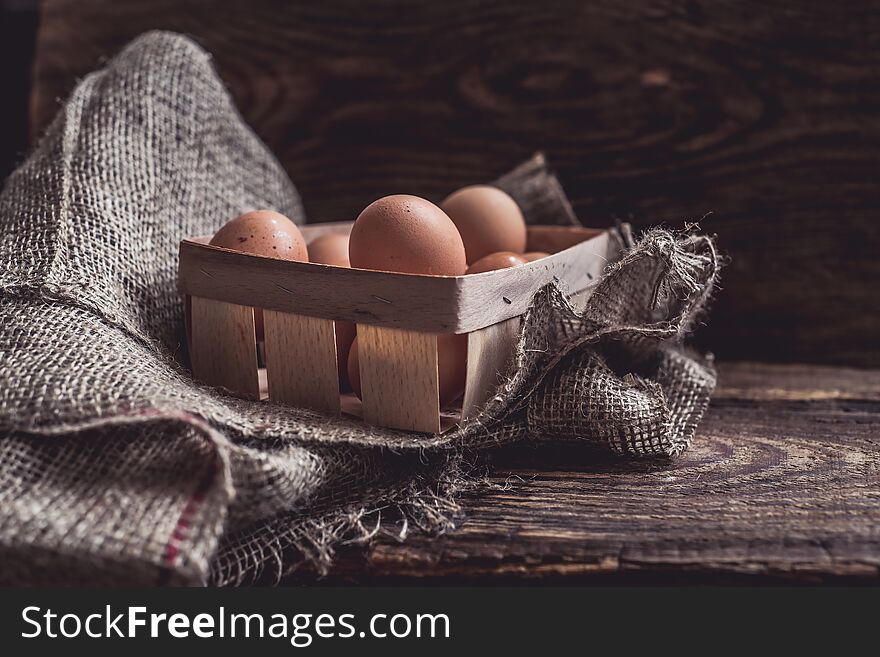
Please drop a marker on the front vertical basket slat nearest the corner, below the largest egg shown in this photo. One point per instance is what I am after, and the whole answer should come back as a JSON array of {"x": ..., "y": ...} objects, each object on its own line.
[{"x": 399, "y": 383}]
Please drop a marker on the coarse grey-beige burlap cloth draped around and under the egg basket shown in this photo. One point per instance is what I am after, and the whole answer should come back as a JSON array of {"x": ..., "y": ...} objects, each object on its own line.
[{"x": 116, "y": 468}]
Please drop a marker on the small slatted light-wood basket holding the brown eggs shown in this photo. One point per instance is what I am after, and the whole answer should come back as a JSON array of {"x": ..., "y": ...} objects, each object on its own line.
[{"x": 398, "y": 317}]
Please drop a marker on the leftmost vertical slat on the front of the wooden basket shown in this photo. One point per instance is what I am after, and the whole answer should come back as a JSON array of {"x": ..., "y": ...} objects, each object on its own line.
[{"x": 224, "y": 347}]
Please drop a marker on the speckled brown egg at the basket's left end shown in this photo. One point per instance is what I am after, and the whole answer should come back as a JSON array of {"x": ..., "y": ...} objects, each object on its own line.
[{"x": 265, "y": 233}]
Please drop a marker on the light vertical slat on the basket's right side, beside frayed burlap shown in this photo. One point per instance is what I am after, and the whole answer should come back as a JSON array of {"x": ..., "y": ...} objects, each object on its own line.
[{"x": 490, "y": 355}]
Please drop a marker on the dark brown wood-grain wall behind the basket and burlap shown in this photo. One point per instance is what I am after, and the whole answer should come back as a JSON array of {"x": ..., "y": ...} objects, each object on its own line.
[{"x": 760, "y": 120}]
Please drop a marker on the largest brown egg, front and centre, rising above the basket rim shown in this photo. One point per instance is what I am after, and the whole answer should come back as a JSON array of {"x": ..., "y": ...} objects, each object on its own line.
[{"x": 404, "y": 233}]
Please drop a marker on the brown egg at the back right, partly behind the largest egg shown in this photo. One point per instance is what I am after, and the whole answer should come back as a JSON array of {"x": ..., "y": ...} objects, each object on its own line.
[{"x": 488, "y": 219}]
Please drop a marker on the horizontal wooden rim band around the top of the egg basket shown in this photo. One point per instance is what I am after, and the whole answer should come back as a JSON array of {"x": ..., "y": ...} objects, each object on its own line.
[{"x": 432, "y": 304}]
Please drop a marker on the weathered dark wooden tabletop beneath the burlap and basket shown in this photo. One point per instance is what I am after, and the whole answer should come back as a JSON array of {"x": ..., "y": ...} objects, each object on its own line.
[{"x": 781, "y": 484}]
